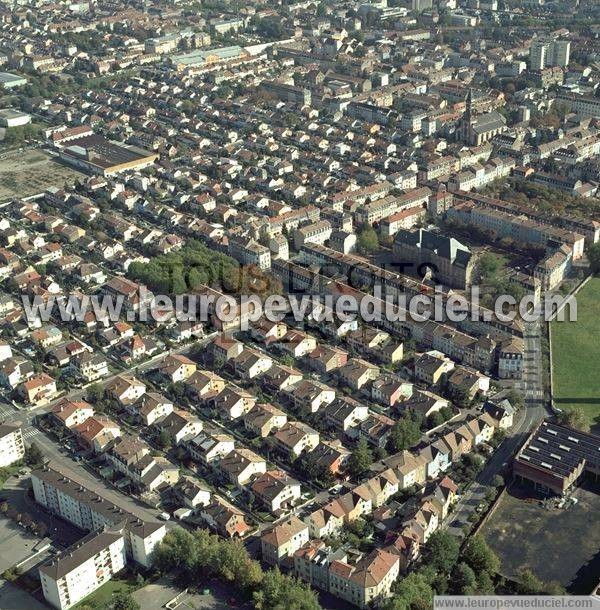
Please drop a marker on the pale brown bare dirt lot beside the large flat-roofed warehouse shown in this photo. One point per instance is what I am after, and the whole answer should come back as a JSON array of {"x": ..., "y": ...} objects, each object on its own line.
[{"x": 27, "y": 173}]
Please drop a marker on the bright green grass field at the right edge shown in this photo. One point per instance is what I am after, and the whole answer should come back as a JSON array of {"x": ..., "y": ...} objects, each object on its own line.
[{"x": 576, "y": 353}]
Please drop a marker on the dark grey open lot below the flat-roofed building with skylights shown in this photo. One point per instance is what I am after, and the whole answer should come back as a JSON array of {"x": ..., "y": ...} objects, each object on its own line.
[{"x": 561, "y": 545}]
